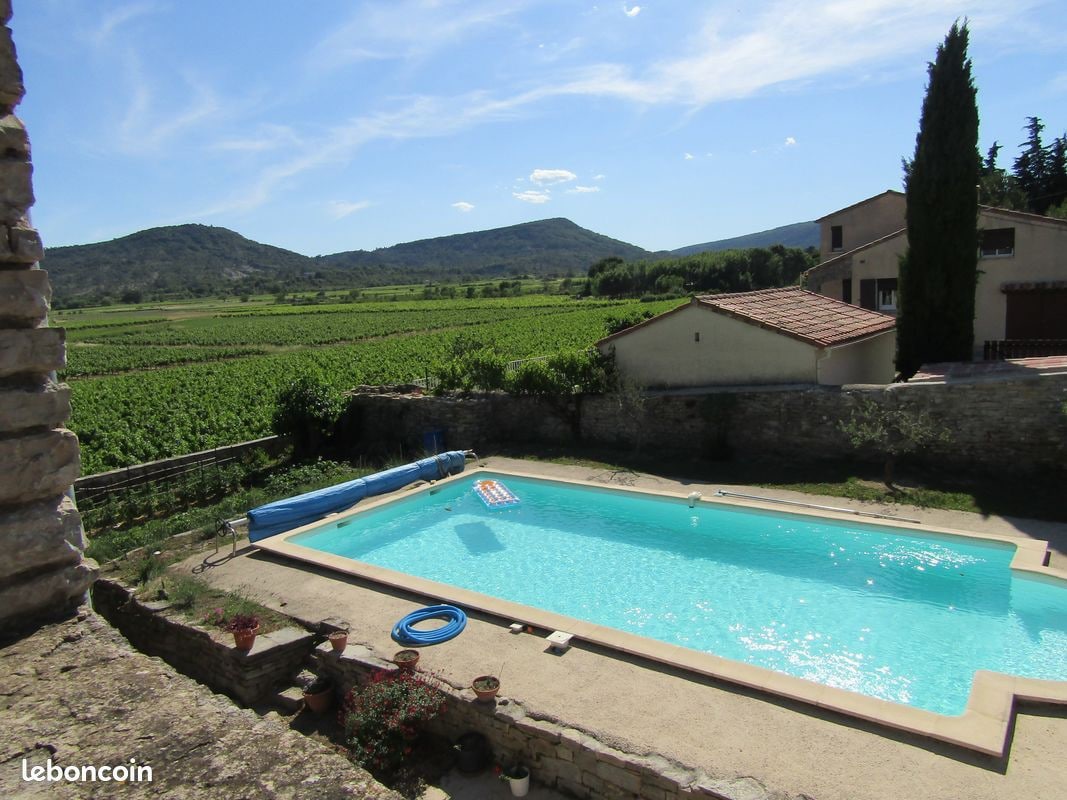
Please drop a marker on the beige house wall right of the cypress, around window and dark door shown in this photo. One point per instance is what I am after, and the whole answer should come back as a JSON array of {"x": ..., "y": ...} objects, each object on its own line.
[{"x": 1041, "y": 254}]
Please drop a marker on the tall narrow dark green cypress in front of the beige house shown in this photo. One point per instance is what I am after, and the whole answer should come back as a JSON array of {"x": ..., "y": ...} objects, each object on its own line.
[{"x": 939, "y": 271}]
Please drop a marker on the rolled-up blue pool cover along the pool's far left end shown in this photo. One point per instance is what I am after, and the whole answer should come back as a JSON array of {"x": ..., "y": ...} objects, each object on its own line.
[{"x": 293, "y": 513}]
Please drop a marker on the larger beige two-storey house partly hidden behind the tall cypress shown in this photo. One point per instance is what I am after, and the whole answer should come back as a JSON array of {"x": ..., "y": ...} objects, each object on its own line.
[{"x": 1021, "y": 302}]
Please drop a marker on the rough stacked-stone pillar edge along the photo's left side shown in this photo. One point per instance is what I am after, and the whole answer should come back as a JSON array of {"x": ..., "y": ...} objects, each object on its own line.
[{"x": 43, "y": 574}]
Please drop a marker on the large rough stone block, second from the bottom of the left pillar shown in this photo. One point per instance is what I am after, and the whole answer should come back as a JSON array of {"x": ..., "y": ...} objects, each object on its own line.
[{"x": 40, "y": 535}]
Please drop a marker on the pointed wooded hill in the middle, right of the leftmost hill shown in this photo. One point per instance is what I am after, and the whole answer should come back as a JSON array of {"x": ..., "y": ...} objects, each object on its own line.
[{"x": 547, "y": 247}]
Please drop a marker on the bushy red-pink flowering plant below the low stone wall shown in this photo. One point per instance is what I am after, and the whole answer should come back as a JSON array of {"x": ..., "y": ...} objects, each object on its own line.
[{"x": 384, "y": 718}]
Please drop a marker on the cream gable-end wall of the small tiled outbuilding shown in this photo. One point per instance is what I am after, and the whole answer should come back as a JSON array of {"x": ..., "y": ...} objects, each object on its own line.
[{"x": 667, "y": 354}]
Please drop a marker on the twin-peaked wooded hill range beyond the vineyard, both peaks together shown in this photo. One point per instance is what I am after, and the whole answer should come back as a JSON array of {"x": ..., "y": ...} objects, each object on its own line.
[{"x": 198, "y": 261}]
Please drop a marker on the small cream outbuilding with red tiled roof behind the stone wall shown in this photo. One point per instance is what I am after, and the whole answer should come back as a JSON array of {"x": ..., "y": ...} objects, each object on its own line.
[{"x": 773, "y": 337}]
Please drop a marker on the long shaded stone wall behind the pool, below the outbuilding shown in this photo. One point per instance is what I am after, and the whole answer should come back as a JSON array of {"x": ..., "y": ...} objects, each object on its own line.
[{"x": 992, "y": 425}]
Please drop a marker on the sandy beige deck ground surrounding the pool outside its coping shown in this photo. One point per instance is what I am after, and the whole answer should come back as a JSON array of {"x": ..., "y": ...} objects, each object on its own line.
[{"x": 639, "y": 707}]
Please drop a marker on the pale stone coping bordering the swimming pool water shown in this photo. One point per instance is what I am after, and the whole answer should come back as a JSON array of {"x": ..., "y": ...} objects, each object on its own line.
[{"x": 983, "y": 727}]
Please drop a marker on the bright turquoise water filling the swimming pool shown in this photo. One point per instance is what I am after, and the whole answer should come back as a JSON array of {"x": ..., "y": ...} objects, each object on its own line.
[{"x": 903, "y": 618}]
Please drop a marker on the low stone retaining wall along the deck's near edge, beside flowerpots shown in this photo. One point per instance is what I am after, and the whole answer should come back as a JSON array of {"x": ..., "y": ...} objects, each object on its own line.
[{"x": 559, "y": 756}]
